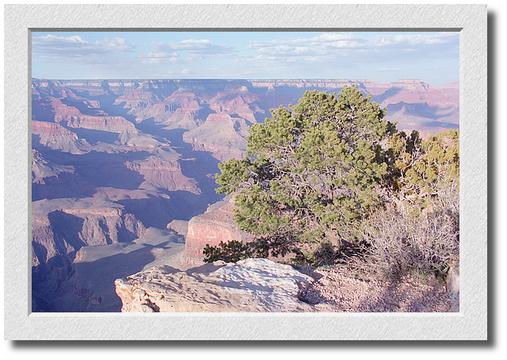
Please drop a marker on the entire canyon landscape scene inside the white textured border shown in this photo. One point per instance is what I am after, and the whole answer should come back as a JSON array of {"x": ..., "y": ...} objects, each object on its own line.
[{"x": 132, "y": 134}]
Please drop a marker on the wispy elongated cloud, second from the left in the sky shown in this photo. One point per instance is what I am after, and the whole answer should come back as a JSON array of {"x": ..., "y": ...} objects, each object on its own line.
[{"x": 189, "y": 49}]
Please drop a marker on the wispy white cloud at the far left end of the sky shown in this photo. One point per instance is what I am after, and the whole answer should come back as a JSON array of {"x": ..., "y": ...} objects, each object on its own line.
[{"x": 75, "y": 46}]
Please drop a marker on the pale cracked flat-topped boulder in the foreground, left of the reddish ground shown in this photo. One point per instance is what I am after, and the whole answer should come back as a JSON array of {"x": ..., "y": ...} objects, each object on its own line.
[{"x": 252, "y": 285}]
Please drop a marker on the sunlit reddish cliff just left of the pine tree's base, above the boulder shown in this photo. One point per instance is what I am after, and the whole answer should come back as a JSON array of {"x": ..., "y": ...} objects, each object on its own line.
[{"x": 212, "y": 227}]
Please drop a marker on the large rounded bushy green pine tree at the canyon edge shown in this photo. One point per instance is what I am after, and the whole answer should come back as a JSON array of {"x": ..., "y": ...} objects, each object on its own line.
[{"x": 311, "y": 170}]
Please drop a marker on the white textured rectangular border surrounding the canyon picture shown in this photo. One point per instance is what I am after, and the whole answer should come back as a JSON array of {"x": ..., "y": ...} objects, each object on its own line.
[{"x": 468, "y": 324}]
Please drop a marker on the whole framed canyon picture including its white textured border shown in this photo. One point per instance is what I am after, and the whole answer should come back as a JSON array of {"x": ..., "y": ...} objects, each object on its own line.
[{"x": 246, "y": 172}]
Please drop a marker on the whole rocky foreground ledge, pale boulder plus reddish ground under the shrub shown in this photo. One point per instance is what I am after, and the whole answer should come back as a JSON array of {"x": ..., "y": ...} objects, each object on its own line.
[{"x": 261, "y": 285}]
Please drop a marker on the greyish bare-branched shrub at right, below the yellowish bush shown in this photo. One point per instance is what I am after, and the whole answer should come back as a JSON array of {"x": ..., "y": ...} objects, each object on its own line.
[{"x": 404, "y": 239}]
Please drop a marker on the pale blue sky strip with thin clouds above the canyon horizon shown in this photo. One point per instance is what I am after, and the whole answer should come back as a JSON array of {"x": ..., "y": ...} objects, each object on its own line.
[{"x": 377, "y": 56}]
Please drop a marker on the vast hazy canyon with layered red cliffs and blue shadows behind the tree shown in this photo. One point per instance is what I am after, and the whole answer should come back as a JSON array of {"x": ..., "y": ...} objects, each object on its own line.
[{"x": 123, "y": 176}]
